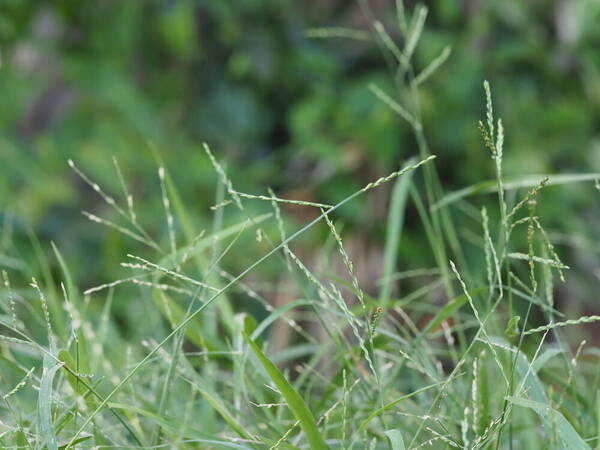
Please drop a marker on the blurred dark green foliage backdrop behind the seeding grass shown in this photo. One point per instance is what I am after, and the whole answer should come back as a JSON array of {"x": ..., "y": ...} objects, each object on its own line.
[{"x": 143, "y": 80}]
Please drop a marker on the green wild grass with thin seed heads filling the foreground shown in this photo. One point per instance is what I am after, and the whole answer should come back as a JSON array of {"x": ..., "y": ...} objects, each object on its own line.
[{"x": 468, "y": 354}]
